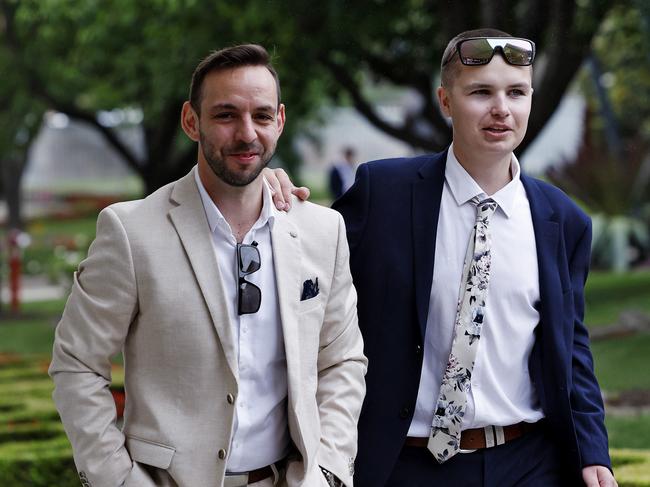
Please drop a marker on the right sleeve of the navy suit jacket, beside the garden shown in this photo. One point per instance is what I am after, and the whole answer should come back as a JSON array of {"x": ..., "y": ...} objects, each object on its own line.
[{"x": 586, "y": 399}]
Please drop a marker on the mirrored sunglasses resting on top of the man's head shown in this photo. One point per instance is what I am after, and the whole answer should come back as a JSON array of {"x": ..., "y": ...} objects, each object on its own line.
[{"x": 476, "y": 51}]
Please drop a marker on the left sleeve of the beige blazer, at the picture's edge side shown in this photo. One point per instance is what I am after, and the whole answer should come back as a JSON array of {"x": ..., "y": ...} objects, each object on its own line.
[{"x": 95, "y": 322}]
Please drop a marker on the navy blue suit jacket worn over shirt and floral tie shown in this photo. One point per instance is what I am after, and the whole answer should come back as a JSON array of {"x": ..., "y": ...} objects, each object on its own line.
[{"x": 391, "y": 214}]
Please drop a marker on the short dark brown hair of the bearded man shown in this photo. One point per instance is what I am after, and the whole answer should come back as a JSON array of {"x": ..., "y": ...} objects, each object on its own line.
[{"x": 229, "y": 58}]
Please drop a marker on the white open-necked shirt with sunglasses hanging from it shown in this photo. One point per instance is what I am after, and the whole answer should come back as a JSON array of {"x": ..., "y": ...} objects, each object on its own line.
[{"x": 261, "y": 435}]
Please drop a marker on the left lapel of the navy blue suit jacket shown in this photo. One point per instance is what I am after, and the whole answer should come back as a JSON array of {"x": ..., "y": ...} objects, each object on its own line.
[{"x": 427, "y": 193}]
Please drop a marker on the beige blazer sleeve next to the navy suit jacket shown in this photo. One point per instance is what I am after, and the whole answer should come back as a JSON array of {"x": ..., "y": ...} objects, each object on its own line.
[{"x": 341, "y": 370}]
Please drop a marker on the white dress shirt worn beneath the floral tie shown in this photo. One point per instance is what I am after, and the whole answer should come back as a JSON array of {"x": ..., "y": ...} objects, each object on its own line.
[{"x": 501, "y": 389}]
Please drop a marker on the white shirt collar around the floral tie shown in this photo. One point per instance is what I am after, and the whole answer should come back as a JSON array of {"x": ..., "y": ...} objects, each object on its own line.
[{"x": 463, "y": 187}]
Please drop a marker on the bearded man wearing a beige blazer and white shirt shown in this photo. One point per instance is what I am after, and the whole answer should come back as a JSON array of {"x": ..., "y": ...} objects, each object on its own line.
[{"x": 242, "y": 355}]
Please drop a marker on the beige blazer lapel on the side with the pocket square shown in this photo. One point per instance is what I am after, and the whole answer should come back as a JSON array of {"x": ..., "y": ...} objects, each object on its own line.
[{"x": 287, "y": 264}]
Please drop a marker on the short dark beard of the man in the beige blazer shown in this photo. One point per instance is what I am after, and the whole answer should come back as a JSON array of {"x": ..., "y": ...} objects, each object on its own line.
[{"x": 220, "y": 168}]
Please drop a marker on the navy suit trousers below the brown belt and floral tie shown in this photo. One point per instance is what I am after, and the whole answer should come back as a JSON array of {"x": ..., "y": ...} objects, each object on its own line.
[{"x": 529, "y": 461}]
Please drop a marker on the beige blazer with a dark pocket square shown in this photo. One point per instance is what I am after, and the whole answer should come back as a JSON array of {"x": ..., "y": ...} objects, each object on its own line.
[{"x": 151, "y": 287}]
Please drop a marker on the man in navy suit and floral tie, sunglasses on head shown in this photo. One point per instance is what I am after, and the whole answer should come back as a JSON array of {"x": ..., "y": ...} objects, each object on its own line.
[{"x": 471, "y": 279}]
